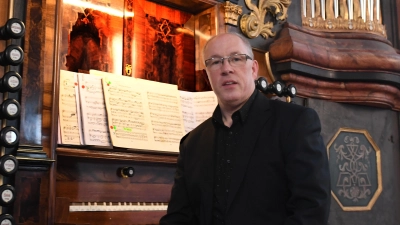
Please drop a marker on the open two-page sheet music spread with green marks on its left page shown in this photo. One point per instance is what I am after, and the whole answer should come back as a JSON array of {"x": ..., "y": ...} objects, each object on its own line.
[{"x": 142, "y": 114}]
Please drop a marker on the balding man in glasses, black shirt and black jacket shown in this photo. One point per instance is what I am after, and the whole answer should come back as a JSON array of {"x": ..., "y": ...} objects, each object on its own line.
[{"x": 256, "y": 161}]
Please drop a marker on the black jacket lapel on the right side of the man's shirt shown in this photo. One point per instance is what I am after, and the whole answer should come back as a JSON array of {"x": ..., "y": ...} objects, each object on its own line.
[{"x": 258, "y": 116}]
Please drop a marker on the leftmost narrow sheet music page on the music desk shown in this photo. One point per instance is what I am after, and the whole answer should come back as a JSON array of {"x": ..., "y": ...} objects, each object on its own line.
[{"x": 69, "y": 123}]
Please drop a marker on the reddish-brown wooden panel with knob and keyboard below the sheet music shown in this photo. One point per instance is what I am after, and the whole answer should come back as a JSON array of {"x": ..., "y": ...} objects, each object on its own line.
[{"x": 98, "y": 195}]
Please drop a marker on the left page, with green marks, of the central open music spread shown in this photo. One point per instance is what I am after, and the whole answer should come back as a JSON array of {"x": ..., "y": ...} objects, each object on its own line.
[{"x": 127, "y": 113}]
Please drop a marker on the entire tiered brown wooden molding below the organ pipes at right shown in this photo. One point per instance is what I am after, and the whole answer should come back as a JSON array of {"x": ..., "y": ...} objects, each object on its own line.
[{"x": 342, "y": 67}]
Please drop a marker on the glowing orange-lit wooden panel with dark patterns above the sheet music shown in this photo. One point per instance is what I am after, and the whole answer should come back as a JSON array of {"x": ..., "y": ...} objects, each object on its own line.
[{"x": 135, "y": 38}]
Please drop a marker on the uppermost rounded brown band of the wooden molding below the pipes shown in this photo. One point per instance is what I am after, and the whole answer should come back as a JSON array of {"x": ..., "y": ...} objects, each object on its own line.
[{"x": 339, "y": 51}]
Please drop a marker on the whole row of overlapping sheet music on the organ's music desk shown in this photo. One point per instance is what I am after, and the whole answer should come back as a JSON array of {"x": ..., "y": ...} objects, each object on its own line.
[{"x": 106, "y": 109}]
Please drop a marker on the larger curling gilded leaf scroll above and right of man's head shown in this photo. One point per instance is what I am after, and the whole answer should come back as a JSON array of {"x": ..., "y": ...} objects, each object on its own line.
[{"x": 253, "y": 25}]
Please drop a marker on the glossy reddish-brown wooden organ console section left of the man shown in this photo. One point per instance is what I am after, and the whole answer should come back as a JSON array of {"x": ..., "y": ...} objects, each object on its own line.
[{"x": 75, "y": 184}]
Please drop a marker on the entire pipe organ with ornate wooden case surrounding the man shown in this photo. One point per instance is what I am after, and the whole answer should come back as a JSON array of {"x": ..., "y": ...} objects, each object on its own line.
[{"x": 340, "y": 57}]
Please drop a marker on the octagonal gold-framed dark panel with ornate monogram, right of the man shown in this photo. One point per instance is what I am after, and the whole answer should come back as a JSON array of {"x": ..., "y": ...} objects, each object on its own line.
[{"x": 355, "y": 165}]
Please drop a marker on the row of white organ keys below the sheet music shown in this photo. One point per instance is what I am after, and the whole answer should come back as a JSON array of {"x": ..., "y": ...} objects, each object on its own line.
[{"x": 116, "y": 206}]
